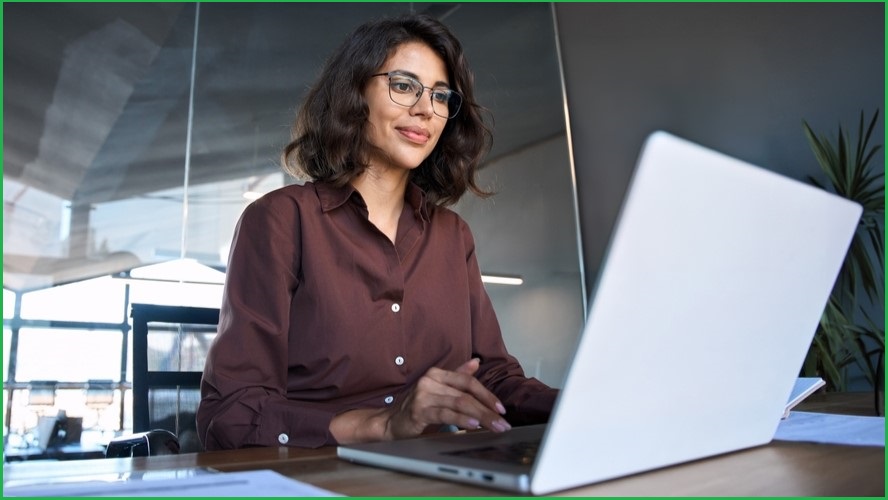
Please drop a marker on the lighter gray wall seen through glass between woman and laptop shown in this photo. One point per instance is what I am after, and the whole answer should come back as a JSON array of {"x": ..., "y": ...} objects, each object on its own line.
[{"x": 529, "y": 228}]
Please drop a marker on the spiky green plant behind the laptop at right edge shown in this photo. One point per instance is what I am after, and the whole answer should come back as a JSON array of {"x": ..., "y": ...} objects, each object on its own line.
[{"x": 850, "y": 333}]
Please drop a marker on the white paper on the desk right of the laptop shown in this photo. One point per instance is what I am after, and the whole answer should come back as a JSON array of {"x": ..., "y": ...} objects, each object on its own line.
[{"x": 832, "y": 429}]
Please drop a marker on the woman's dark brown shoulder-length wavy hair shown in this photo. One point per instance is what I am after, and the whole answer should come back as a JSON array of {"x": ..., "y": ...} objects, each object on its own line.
[{"x": 328, "y": 140}]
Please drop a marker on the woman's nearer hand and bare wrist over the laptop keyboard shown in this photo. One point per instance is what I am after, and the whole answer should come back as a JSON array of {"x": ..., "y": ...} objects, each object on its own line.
[{"x": 440, "y": 397}]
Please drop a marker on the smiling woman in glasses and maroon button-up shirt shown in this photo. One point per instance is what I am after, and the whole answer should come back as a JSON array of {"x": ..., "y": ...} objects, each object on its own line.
[{"x": 353, "y": 307}]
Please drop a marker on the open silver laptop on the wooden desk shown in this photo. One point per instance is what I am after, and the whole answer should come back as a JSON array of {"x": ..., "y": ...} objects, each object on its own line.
[{"x": 712, "y": 287}]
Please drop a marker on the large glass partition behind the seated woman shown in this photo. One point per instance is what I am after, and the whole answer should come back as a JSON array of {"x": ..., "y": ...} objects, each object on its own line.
[{"x": 136, "y": 133}]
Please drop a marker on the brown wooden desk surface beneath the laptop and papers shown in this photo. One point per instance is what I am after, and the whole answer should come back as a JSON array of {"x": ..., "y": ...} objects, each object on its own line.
[{"x": 777, "y": 469}]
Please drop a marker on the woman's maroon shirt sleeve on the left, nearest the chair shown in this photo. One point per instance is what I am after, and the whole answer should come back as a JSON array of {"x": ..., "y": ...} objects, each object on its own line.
[{"x": 244, "y": 387}]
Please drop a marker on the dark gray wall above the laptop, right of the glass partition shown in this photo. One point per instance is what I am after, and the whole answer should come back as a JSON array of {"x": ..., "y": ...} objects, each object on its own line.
[{"x": 739, "y": 78}]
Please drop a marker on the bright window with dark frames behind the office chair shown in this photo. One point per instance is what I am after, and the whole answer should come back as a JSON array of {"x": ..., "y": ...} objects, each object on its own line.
[{"x": 88, "y": 322}]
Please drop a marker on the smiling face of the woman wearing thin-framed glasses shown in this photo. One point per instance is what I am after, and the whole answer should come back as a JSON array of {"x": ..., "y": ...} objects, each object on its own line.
[{"x": 404, "y": 135}]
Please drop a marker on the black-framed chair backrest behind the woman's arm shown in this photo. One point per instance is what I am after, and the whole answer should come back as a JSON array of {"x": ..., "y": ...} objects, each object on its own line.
[{"x": 170, "y": 344}]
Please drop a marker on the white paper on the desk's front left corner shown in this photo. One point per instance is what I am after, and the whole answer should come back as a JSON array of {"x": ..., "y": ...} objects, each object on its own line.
[{"x": 258, "y": 483}]
